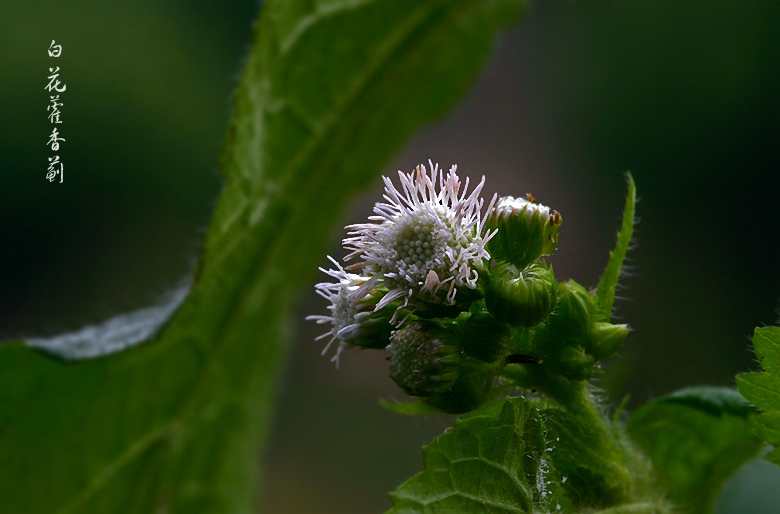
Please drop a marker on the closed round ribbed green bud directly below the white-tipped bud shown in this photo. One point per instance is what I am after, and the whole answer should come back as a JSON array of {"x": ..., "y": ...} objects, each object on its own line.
[{"x": 520, "y": 297}]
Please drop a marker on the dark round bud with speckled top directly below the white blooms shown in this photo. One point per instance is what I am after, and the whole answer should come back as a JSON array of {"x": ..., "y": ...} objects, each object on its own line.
[{"x": 424, "y": 358}]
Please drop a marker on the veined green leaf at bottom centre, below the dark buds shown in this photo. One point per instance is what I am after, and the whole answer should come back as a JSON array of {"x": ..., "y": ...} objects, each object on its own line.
[{"x": 486, "y": 463}]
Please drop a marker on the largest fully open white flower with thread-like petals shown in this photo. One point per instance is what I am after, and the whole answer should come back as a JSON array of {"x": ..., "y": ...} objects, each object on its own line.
[{"x": 423, "y": 244}]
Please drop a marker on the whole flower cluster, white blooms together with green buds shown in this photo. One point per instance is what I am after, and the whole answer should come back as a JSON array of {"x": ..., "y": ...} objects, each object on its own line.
[{"x": 455, "y": 297}]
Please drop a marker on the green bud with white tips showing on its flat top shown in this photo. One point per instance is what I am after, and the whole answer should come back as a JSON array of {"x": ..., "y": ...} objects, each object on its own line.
[{"x": 526, "y": 230}]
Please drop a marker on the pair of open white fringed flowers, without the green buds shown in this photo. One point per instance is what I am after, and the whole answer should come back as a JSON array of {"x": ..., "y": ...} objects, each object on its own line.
[{"x": 424, "y": 245}]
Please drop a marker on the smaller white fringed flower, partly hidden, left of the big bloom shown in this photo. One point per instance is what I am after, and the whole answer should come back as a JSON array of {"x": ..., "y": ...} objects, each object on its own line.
[{"x": 350, "y": 319}]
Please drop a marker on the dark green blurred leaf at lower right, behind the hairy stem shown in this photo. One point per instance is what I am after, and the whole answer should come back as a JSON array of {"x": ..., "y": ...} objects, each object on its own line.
[{"x": 696, "y": 439}]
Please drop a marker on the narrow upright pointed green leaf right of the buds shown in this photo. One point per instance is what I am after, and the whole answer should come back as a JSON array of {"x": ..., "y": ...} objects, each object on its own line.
[{"x": 605, "y": 293}]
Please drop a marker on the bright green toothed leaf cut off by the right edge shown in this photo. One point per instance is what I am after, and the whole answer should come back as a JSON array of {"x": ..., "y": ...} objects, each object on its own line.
[{"x": 763, "y": 389}]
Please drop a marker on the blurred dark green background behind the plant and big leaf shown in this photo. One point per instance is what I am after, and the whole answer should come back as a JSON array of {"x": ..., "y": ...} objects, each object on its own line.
[{"x": 686, "y": 94}]
